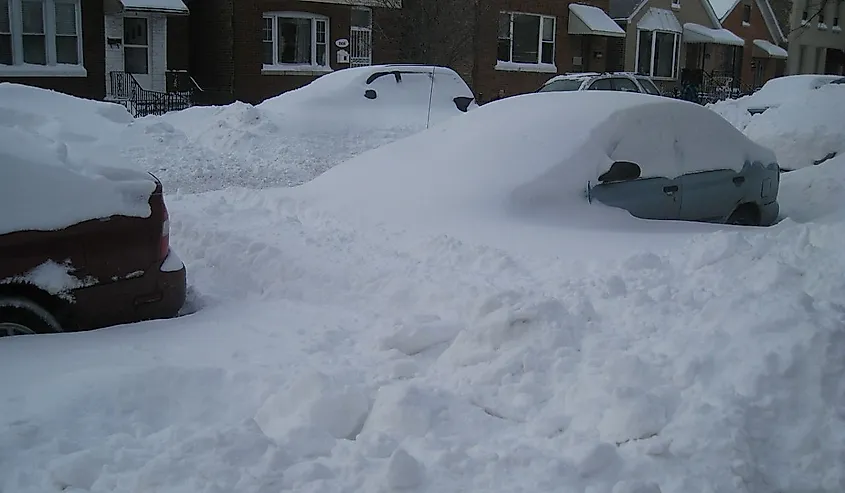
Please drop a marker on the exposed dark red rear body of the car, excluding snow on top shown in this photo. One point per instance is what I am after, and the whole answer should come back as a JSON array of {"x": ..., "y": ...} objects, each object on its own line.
[{"x": 98, "y": 272}]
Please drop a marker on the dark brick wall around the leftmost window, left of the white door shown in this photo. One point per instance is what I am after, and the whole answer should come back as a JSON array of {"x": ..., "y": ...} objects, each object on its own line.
[{"x": 94, "y": 58}]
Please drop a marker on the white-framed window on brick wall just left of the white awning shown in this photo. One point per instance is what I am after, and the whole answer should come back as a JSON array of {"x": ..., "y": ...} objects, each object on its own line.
[{"x": 526, "y": 38}]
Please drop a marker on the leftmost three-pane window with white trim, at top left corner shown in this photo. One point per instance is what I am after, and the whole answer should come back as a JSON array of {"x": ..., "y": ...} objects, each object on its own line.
[{"x": 40, "y": 33}]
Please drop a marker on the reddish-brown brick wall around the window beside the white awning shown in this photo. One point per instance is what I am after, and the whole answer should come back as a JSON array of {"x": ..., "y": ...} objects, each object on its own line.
[{"x": 489, "y": 82}]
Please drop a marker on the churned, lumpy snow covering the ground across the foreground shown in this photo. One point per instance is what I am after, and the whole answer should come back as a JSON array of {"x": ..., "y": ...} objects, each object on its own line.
[{"x": 330, "y": 358}]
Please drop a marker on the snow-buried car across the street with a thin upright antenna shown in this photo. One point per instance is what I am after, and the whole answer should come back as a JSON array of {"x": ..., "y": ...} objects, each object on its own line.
[{"x": 408, "y": 90}]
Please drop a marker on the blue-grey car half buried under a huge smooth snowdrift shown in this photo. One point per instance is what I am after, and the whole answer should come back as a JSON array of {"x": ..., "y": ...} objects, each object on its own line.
[{"x": 561, "y": 158}]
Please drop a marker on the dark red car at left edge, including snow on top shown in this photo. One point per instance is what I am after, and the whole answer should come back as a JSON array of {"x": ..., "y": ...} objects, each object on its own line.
[{"x": 81, "y": 247}]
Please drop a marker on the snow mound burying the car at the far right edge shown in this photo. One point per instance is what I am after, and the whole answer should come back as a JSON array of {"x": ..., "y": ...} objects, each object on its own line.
[{"x": 802, "y": 130}]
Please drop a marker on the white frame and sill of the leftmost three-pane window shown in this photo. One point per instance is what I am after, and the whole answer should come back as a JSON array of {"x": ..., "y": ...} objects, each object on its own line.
[{"x": 51, "y": 68}]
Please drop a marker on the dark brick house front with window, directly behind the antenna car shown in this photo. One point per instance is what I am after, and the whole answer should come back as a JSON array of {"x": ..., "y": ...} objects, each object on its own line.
[{"x": 265, "y": 47}]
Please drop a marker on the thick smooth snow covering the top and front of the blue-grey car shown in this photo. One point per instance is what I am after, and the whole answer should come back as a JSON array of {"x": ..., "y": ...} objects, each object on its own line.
[{"x": 528, "y": 155}]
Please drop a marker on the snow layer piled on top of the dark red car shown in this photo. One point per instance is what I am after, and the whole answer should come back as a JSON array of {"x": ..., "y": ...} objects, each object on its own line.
[{"x": 42, "y": 187}]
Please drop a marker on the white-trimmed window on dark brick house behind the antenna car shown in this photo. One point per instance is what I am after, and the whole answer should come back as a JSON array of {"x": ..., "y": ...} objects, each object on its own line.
[{"x": 293, "y": 40}]
